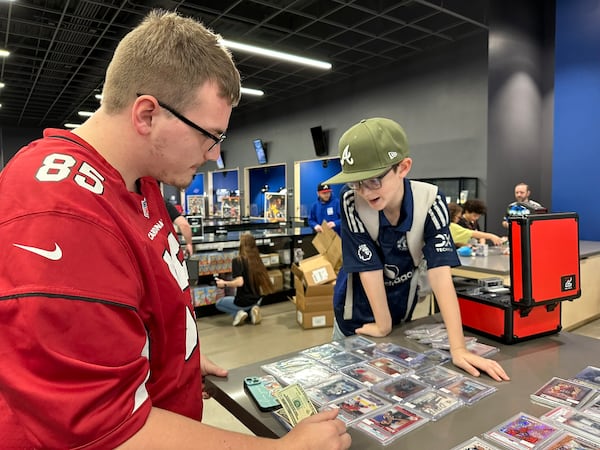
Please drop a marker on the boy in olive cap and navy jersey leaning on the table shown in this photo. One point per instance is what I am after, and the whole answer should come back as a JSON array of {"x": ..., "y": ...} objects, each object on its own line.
[{"x": 373, "y": 289}]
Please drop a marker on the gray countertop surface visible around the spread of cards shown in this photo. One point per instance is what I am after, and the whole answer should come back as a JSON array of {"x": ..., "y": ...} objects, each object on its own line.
[{"x": 530, "y": 364}]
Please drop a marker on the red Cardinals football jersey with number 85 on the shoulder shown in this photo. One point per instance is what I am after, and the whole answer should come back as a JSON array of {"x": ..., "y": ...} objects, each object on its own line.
[{"x": 96, "y": 317}]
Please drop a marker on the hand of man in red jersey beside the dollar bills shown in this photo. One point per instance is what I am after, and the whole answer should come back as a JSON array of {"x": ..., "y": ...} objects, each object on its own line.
[{"x": 321, "y": 431}]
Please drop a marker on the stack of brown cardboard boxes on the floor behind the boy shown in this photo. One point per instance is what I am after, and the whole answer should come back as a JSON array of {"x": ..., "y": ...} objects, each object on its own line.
[{"x": 314, "y": 280}]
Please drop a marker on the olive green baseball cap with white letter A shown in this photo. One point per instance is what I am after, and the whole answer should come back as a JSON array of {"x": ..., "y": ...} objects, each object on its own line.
[{"x": 369, "y": 148}]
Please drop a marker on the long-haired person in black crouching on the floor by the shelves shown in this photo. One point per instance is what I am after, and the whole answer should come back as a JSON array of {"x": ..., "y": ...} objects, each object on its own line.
[{"x": 250, "y": 285}]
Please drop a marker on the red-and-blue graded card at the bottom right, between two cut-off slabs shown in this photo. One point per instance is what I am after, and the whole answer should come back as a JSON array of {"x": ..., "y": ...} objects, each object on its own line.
[{"x": 523, "y": 431}]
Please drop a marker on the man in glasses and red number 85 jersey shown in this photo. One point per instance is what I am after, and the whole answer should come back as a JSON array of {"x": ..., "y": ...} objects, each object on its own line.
[{"x": 112, "y": 358}]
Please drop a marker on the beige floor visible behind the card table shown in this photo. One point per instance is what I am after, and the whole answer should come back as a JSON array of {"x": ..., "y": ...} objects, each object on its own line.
[{"x": 278, "y": 333}]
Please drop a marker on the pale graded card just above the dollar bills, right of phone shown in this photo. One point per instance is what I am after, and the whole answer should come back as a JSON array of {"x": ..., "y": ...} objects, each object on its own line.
[{"x": 299, "y": 369}]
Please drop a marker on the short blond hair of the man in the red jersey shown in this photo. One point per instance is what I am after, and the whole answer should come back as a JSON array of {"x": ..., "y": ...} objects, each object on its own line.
[{"x": 170, "y": 57}]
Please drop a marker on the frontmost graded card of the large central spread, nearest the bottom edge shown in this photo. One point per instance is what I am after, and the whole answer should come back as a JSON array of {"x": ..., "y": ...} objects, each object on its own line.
[{"x": 390, "y": 423}]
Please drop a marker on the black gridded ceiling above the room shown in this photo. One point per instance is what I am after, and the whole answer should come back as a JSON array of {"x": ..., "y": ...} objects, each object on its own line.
[{"x": 61, "y": 48}]
